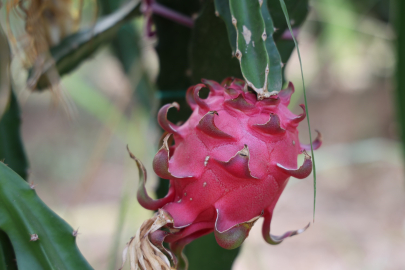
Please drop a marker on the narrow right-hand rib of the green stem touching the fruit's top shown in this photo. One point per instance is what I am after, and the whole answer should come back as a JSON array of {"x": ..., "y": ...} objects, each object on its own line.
[{"x": 275, "y": 78}]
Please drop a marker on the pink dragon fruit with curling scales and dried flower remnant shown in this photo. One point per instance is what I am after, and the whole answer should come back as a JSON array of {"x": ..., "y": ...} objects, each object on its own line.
[{"x": 227, "y": 166}]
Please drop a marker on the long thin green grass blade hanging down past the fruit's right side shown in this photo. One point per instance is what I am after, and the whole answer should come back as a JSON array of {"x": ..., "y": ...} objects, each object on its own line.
[{"x": 285, "y": 11}]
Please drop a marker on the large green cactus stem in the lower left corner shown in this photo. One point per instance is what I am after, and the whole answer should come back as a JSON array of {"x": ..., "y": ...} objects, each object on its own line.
[{"x": 41, "y": 239}]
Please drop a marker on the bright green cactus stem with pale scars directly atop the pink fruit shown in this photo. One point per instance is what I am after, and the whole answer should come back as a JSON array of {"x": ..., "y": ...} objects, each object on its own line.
[{"x": 257, "y": 52}]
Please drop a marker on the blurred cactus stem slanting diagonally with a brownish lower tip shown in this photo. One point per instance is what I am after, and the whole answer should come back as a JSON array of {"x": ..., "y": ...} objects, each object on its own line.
[{"x": 76, "y": 48}]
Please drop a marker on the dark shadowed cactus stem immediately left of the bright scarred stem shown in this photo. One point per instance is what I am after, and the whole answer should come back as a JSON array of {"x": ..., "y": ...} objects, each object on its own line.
[{"x": 211, "y": 54}]
